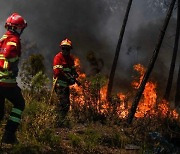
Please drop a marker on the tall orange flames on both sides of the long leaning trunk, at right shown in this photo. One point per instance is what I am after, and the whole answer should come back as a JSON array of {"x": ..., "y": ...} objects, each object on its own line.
[{"x": 148, "y": 105}]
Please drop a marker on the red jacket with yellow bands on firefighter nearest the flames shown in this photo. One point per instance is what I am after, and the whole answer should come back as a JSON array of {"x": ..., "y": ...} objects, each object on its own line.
[{"x": 62, "y": 66}]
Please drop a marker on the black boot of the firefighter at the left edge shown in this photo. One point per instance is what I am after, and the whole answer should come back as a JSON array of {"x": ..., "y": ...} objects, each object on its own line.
[{"x": 9, "y": 138}]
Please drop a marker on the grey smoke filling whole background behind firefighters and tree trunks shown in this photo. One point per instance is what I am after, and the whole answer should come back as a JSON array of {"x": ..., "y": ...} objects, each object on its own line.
[{"x": 94, "y": 26}]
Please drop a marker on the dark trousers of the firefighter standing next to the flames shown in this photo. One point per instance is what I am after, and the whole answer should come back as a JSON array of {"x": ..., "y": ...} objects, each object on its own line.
[{"x": 63, "y": 94}]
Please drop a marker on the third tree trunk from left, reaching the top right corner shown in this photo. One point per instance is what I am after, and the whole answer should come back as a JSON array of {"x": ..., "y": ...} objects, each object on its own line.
[{"x": 173, "y": 61}]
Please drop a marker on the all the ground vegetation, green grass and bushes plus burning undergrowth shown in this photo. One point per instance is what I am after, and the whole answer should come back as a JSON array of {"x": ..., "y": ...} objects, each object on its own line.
[{"x": 93, "y": 125}]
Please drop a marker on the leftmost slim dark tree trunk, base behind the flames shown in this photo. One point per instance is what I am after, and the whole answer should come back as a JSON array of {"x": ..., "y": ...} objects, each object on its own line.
[{"x": 113, "y": 68}]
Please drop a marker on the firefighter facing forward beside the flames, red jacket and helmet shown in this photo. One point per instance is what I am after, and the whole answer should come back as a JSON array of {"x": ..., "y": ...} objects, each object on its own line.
[{"x": 64, "y": 75}]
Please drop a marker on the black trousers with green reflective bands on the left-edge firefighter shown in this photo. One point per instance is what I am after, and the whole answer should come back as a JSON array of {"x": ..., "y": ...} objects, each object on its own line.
[{"x": 14, "y": 95}]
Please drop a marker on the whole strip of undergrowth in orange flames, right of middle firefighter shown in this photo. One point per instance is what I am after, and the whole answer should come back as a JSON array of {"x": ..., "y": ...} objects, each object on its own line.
[{"x": 90, "y": 98}]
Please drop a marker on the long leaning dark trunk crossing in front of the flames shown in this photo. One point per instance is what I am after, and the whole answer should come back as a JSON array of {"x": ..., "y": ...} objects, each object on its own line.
[{"x": 151, "y": 63}]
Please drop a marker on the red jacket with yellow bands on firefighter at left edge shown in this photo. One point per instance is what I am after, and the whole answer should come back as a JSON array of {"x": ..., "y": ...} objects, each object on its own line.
[{"x": 10, "y": 52}]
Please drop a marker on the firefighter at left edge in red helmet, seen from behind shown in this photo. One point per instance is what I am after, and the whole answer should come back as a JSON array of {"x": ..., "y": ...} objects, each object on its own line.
[{"x": 10, "y": 52}]
